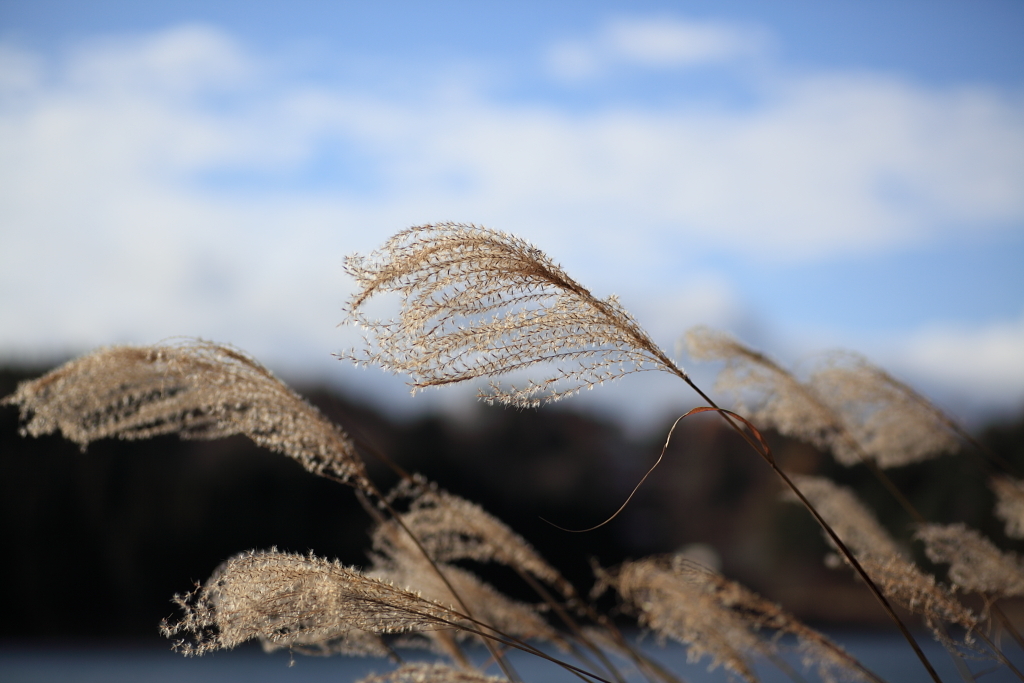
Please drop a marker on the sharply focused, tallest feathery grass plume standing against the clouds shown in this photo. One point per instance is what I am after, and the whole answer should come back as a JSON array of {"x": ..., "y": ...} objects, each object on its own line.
[{"x": 481, "y": 304}]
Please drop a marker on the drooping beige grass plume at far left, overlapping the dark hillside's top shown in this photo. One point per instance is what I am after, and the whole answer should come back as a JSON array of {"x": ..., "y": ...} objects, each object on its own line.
[{"x": 195, "y": 389}]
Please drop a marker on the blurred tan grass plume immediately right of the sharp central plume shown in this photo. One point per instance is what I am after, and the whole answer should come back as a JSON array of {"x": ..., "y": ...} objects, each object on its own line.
[{"x": 771, "y": 396}]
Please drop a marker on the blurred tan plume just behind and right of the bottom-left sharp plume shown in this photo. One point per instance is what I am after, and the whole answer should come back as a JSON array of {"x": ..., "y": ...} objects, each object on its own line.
[{"x": 400, "y": 562}]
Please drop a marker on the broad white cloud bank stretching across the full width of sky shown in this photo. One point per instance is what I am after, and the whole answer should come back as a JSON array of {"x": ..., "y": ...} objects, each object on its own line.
[{"x": 111, "y": 234}]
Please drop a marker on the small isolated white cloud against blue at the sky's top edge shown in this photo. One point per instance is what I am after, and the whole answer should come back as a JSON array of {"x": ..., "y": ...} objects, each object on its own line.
[{"x": 654, "y": 44}]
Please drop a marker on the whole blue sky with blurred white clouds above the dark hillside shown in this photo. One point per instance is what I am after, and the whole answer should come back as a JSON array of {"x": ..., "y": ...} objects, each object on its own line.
[{"x": 806, "y": 175}]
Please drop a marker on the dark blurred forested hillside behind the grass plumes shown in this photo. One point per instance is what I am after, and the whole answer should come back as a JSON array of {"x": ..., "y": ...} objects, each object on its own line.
[{"x": 97, "y": 543}]
